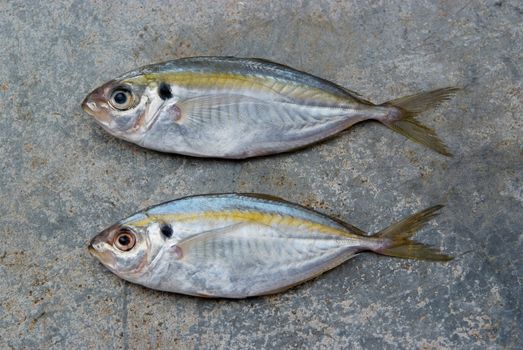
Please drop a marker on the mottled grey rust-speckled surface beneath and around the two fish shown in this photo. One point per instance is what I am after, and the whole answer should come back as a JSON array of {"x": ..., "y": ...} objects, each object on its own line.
[{"x": 64, "y": 179}]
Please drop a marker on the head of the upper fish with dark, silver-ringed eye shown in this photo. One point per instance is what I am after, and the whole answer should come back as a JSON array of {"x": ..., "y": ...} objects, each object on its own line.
[{"x": 122, "y": 106}]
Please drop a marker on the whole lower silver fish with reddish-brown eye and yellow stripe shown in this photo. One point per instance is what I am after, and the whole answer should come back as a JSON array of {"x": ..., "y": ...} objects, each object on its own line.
[{"x": 243, "y": 245}]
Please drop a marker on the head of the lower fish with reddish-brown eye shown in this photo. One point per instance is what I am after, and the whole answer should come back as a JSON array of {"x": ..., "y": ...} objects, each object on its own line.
[{"x": 127, "y": 250}]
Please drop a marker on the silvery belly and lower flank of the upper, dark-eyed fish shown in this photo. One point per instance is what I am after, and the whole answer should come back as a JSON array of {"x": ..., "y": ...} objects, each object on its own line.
[{"x": 240, "y": 123}]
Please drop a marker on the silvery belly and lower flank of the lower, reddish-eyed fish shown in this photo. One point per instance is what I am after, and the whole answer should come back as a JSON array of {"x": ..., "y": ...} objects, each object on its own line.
[{"x": 249, "y": 259}]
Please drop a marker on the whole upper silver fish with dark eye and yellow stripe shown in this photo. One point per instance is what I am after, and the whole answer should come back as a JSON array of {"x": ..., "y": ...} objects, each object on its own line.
[{"x": 228, "y": 107}]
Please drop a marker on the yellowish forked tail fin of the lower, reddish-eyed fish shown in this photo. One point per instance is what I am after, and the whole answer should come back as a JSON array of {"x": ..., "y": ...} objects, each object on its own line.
[{"x": 396, "y": 238}]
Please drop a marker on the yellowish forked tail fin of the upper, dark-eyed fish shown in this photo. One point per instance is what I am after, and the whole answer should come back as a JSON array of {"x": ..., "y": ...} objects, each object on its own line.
[{"x": 402, "y": 118}]
